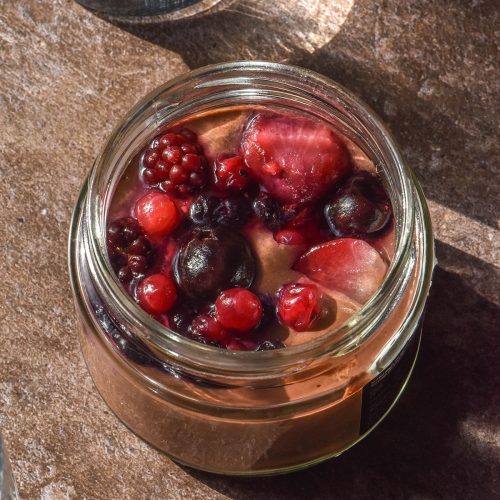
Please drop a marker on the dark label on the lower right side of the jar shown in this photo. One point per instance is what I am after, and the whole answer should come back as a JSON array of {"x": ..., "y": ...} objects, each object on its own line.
[{"x": 381, "y": 392}]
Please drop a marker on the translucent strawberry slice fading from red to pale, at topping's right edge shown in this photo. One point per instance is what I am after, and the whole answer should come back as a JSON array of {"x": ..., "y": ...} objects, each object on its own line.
[{"x": 350, "y": 266}]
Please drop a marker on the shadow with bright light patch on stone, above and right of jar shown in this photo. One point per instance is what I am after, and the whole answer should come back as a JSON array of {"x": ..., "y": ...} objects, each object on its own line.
[{"x": 380, "y": 56}]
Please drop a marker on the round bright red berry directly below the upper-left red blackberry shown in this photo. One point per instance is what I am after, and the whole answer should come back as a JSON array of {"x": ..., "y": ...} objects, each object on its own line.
[{"x": 157, "y": 214}]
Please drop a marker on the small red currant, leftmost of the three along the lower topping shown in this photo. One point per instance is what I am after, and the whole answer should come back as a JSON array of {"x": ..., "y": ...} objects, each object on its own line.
[{"x": 156, "y": 294}]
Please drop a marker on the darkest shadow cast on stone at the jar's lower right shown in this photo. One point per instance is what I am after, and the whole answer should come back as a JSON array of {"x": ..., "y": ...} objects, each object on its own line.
[{"x": 437, "y": 430}]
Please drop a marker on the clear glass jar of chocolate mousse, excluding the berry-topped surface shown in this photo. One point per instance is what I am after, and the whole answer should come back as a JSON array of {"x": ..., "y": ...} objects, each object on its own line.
[{"x": 236, "y": 412}]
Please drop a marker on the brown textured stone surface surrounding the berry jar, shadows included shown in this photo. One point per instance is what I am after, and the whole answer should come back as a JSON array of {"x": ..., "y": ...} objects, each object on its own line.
[{"x": 429, "y": 68}]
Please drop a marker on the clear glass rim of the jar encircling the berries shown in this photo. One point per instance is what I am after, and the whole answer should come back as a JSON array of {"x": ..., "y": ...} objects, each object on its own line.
[{"x": 336, "y": 342}]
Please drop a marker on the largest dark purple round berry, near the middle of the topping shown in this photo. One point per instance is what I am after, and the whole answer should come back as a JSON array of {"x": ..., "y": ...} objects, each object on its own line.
[{"x": 212, "y": 260}]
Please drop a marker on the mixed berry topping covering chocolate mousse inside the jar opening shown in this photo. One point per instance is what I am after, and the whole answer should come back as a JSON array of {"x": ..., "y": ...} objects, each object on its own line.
[{"x": 250, "y": 230}]
